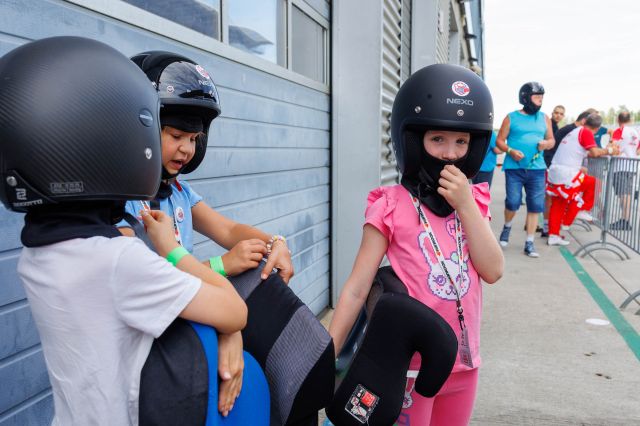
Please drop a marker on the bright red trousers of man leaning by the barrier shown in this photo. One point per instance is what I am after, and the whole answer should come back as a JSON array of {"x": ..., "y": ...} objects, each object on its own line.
[{"x": 567, "y": 202}]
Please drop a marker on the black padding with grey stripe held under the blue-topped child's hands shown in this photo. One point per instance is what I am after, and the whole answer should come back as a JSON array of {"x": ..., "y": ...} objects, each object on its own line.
[{"x": 292, "y": 347}]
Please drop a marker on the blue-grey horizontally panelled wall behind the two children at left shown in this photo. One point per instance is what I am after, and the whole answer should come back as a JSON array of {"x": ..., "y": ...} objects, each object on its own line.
[{"x": 268, "y": 164}]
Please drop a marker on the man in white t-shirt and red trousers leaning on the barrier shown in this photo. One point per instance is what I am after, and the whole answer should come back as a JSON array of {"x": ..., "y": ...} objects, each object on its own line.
[{"x": 570, "y": 188}]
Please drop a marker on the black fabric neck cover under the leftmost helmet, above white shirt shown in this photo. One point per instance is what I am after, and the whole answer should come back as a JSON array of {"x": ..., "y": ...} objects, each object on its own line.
[{"x": 66, "y": 221}]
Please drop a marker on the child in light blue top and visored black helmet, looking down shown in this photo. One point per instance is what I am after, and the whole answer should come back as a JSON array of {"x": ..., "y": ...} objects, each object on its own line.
[{"x": 189, "y": 103}]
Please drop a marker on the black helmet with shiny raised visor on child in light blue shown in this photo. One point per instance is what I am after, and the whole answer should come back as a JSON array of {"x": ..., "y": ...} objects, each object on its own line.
[{"x": 185, "y": 89}]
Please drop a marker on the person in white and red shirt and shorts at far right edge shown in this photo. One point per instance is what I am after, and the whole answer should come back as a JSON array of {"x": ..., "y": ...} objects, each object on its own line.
[{"x": 626, "y": 138}]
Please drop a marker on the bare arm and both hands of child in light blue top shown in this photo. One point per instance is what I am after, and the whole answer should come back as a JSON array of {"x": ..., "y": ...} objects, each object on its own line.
[{"x": 241, "y": 256}]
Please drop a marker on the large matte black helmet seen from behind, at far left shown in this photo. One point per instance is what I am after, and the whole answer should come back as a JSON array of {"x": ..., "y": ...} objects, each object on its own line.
[{"x": 78, "y": 122}]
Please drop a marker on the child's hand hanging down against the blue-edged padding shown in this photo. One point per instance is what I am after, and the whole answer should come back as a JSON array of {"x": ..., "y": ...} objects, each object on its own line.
[{"x": 230, "y": 368}]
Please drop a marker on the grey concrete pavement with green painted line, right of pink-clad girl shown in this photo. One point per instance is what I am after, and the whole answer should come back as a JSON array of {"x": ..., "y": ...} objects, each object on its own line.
[{"x": 543, "y": 362}]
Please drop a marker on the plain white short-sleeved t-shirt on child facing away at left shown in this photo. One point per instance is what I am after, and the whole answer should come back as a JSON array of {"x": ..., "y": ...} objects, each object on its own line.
[{"x": 98, "y": 304}]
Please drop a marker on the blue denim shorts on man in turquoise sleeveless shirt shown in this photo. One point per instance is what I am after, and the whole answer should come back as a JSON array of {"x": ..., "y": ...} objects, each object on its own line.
[{"x": 533, "y": 182}]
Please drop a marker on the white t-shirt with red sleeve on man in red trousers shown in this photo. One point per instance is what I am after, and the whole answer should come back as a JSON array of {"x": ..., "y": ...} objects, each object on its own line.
[{"x": 568, "y": 158}]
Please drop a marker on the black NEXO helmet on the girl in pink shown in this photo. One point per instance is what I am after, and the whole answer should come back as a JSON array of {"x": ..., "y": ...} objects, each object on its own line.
[{"x": 445, "y": 97}]
